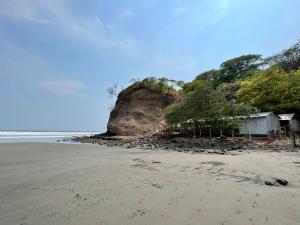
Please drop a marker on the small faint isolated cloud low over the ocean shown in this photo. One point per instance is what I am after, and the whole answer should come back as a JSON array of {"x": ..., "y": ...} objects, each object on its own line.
[{"x": 67, "y": 87}]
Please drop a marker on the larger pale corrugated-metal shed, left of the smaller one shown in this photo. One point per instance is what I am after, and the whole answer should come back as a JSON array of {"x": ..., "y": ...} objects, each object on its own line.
[{"x": 262, "y": 123}]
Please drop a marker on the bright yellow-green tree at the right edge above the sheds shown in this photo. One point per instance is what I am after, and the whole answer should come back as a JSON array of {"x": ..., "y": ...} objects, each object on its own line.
[{"x": 272, "y": 90}]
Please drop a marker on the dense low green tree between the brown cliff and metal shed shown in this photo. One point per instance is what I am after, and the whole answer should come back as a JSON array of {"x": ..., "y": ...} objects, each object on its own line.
[{"x": 205, "y": 107}]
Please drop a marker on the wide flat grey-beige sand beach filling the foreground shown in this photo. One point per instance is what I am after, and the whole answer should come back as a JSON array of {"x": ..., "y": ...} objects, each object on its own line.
[{"x": 82, "y": 184}]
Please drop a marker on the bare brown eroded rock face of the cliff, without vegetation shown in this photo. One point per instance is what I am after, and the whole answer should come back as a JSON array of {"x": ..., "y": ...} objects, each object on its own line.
[{"x": 140, "y": 112}]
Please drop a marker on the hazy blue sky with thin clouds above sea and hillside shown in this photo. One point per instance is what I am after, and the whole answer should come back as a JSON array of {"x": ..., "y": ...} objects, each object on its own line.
[{"x": 58, "y": 57}]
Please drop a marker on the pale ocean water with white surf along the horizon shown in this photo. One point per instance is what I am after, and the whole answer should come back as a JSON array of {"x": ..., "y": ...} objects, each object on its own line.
[{"x": 38, "y": 136}]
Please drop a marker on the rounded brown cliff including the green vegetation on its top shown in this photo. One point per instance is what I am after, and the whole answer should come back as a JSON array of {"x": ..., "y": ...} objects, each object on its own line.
[{"x": 139, "y": 109}]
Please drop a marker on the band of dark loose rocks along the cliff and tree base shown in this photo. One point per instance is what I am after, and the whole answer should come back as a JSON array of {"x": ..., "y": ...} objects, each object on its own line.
[{"x": 219, "y": 145}]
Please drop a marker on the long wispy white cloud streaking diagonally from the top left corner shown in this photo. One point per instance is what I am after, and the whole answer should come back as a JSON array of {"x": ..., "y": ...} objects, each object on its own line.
[{"x": 60, "y": 14}]
